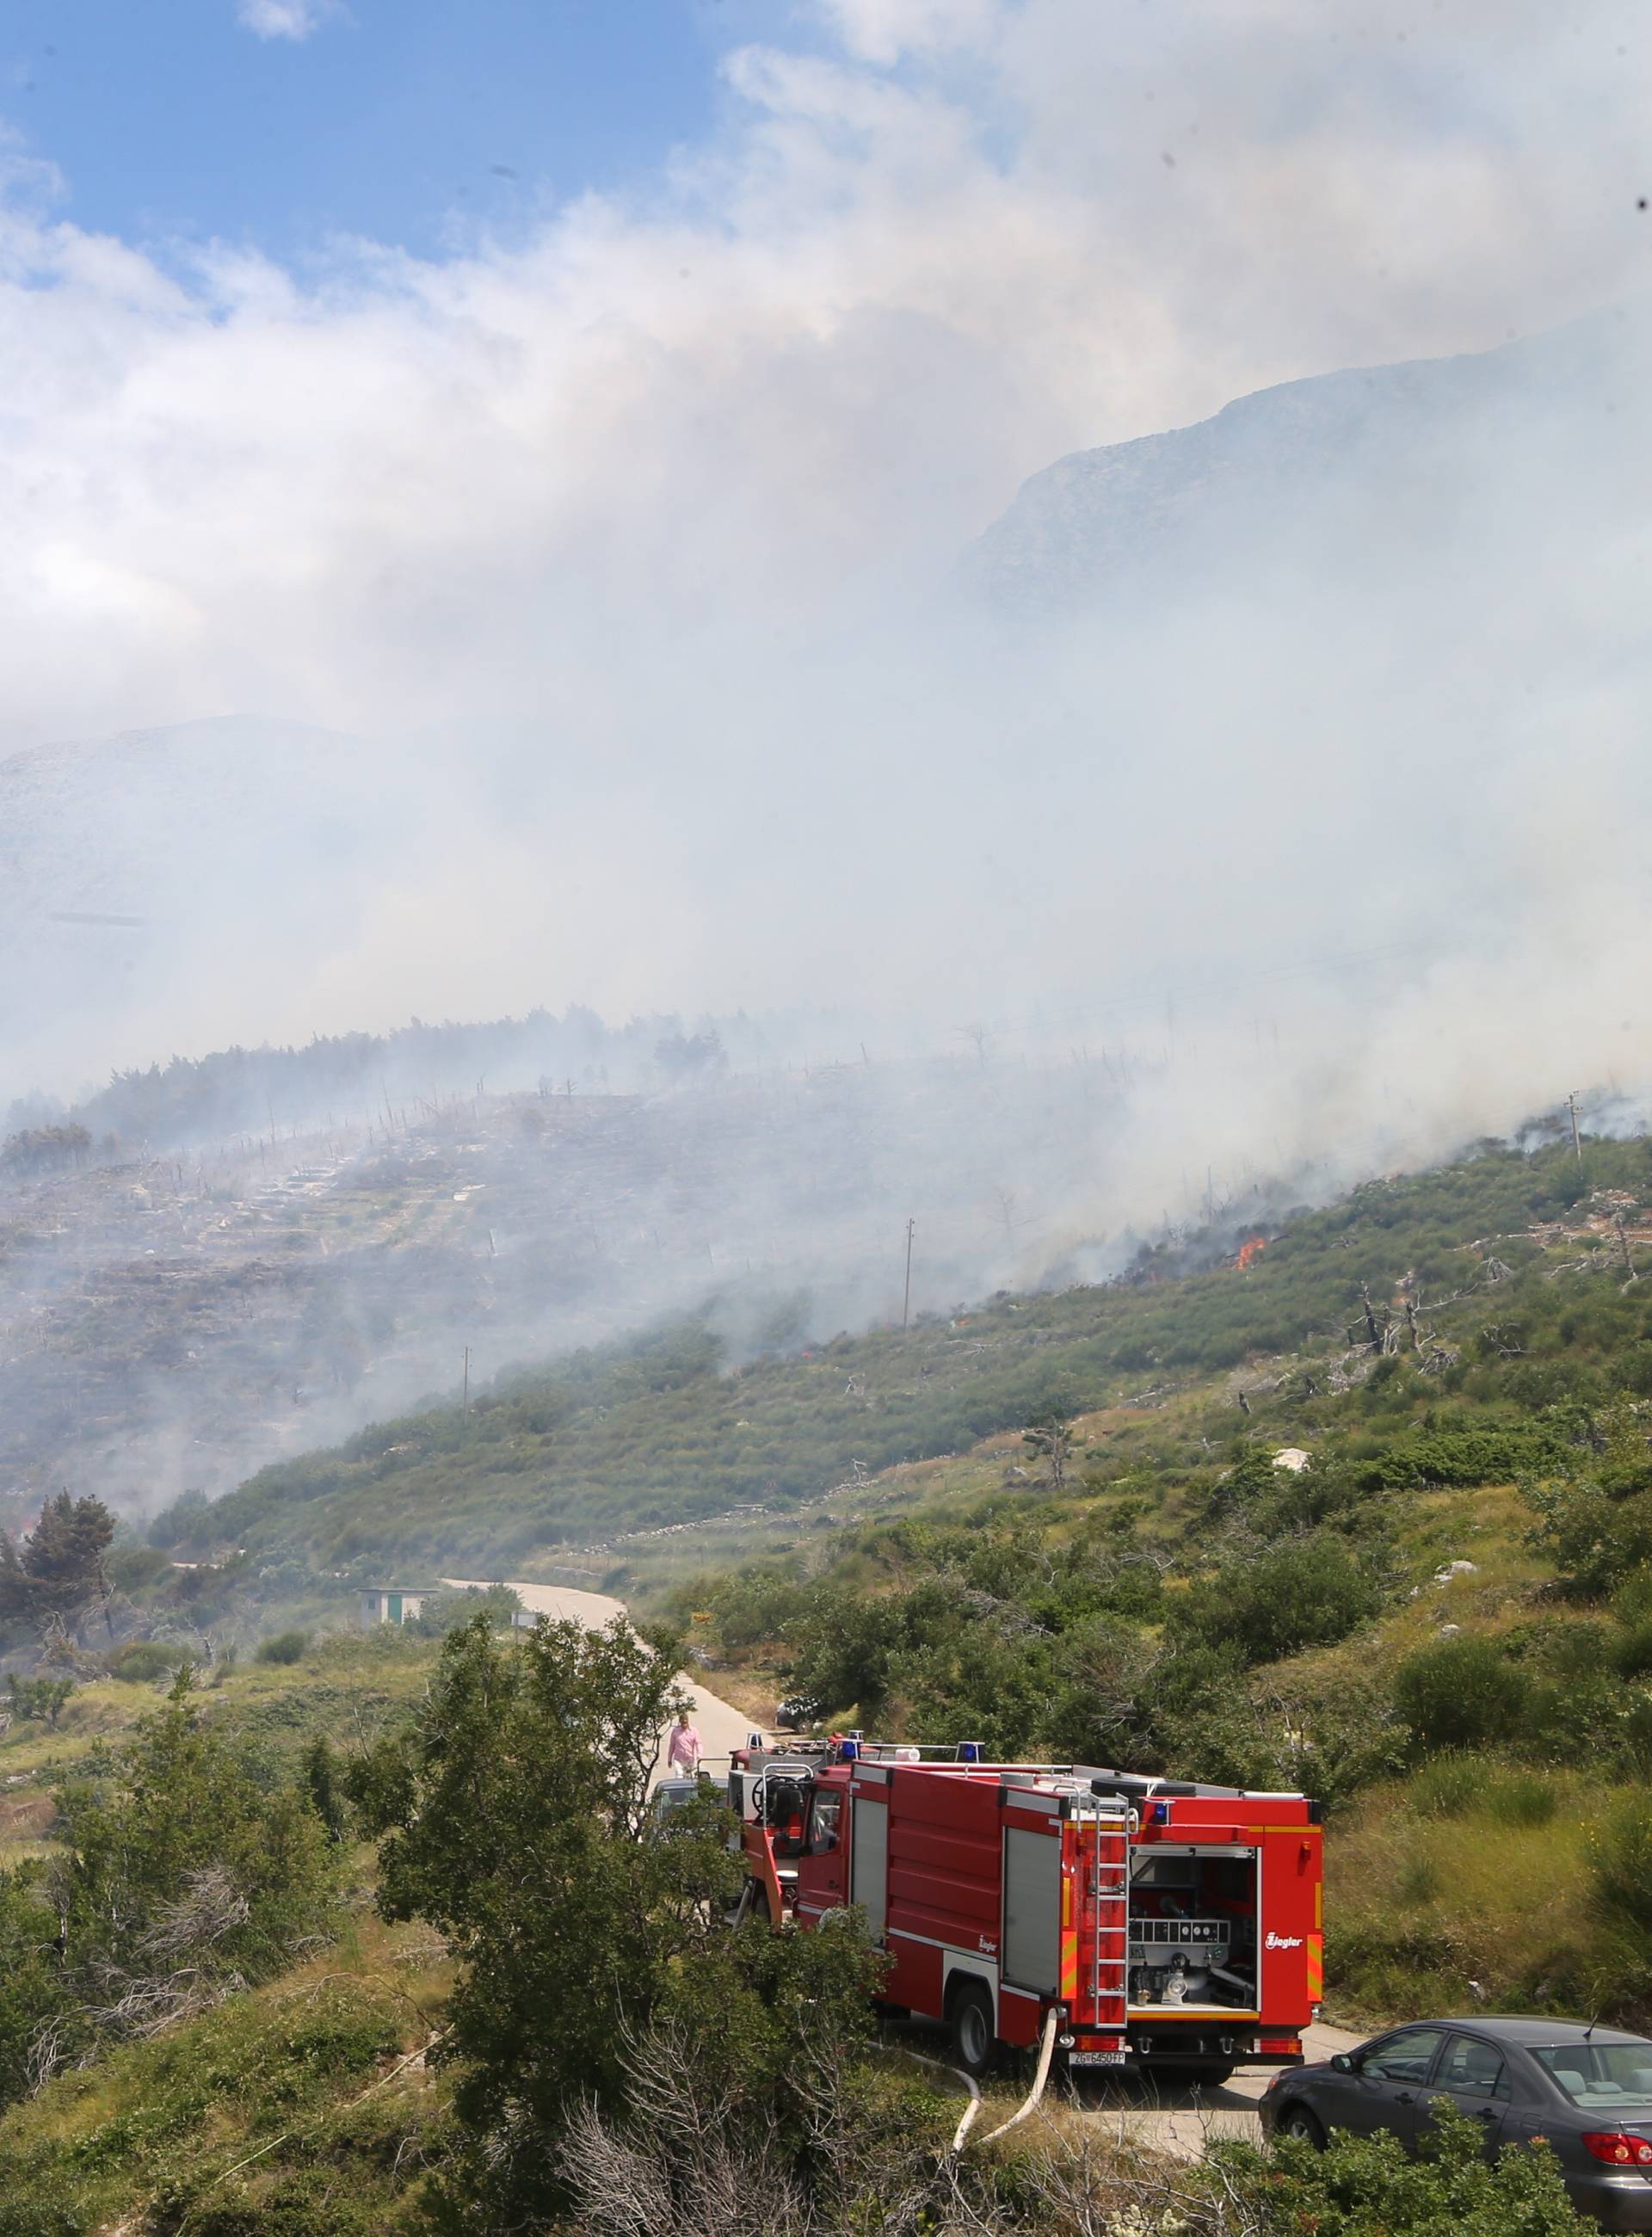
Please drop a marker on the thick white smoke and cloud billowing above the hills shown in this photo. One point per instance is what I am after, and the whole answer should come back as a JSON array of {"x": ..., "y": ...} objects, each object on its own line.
[{"x": 626, "y": 551}]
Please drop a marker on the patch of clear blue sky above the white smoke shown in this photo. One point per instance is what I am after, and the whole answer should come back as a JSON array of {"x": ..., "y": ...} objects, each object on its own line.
[{"x": 400, "y": 120}]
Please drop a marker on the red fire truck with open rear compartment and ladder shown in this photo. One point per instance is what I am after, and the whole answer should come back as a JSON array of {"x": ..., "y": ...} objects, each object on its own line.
[{"x": 1170, "y": 1927}]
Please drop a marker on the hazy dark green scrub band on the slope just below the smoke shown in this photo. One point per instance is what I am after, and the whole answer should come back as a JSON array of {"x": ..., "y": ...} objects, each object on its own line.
[{"x": 639, "y": 1440}]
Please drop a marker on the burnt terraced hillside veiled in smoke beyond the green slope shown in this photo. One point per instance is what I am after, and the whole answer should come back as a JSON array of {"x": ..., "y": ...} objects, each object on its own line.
[{"x": 176, "y": 1321}]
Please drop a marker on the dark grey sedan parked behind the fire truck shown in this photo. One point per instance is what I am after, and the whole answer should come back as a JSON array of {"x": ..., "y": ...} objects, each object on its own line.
[{"x": 1588, "y": 2090}]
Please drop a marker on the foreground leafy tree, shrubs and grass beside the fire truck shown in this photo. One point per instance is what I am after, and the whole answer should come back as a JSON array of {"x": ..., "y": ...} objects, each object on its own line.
[{"x": 581, "y": 2050}]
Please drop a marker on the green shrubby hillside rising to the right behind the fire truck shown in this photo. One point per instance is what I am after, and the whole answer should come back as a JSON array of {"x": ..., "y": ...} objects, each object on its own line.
[{"x": 1060, "y": 1527}]
